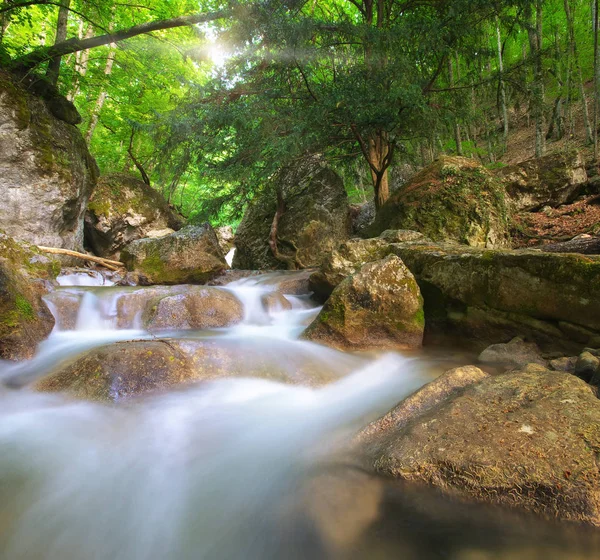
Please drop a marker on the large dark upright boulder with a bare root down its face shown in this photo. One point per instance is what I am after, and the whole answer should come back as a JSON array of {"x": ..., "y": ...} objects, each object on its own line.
[{"x": 311, "y": 211}]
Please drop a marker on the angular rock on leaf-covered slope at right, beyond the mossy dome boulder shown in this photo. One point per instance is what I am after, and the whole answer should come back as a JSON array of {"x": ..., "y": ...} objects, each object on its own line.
[{"x": 551, "y": 180}]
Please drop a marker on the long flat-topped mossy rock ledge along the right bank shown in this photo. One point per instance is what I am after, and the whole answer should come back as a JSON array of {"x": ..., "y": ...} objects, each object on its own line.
[{"x": 484, "y": 296}]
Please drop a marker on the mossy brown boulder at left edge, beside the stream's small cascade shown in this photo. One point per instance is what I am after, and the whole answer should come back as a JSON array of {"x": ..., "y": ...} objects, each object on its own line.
[{"x": 24, "y": 318}]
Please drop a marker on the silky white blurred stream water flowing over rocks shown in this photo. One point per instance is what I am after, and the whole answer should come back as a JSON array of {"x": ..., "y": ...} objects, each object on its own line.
[{"x": 240, "y": 467}]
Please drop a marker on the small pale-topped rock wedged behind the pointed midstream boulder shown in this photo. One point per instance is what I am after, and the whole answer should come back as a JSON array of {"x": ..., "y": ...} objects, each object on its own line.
[{"x": 347, "y": 259}]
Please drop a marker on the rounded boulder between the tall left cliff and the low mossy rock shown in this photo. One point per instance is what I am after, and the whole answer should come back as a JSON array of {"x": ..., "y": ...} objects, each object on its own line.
[{"x": 123, "y": 209}]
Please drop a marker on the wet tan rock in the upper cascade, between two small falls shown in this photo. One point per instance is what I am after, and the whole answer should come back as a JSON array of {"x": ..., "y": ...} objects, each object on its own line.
[{"x": 195, "y": 308}]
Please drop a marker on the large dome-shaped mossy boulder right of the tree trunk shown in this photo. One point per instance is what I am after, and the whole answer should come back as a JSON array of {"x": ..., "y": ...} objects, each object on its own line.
[{"x": 453, "y": 199}]
